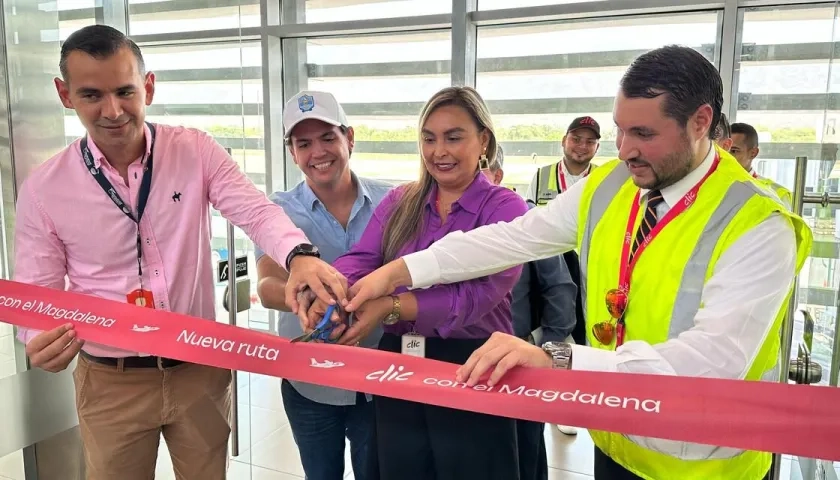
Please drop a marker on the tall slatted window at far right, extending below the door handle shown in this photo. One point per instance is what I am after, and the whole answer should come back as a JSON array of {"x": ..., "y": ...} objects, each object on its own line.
[{"x": 787, "y": 85}]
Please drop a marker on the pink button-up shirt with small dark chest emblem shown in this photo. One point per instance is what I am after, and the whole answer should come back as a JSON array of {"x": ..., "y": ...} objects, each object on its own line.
[{"x": 70, "y": 234}]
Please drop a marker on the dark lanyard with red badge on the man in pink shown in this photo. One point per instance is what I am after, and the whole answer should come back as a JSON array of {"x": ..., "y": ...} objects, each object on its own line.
[{"x": 141, "y": 296}]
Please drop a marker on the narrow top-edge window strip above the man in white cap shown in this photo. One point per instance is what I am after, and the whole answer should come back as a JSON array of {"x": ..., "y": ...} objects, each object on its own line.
[{"x": 318, "y": 11}]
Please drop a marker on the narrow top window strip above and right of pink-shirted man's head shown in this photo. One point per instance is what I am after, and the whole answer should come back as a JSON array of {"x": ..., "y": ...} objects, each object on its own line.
[{"x": 166, "y": 16}]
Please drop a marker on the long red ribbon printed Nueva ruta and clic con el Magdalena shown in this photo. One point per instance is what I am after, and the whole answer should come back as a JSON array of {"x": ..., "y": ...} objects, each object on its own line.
[{"x": 793, "y": 419}]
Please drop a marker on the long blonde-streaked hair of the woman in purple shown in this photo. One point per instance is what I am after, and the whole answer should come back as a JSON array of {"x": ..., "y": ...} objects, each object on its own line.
[{"x": 407, "y": 218}]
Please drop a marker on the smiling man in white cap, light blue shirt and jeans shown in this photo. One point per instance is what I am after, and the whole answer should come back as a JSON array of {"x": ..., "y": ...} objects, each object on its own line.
[{"x": 332, "y": 206}]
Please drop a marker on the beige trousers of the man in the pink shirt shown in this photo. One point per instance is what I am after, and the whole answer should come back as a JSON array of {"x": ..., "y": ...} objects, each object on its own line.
[{"x": 124, "y": 411}]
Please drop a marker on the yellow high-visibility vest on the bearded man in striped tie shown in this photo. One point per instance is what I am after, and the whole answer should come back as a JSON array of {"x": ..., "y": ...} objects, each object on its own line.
[{"x": 668, "y": 283}]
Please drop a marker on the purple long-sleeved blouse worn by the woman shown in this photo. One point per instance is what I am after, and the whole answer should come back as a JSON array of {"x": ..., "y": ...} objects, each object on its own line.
[{"x": 471, "y": 309}]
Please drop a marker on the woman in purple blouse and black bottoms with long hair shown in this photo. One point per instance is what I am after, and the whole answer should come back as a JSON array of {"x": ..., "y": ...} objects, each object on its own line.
[{"x": 445, "y": 322}]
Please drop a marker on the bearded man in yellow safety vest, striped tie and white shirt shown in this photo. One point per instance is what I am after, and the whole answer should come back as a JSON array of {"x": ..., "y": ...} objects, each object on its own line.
[{"x": 688, "y": 264}]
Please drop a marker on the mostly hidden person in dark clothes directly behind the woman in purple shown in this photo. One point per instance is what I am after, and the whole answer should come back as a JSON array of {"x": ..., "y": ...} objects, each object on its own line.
[{"x": 543, "y": 309}]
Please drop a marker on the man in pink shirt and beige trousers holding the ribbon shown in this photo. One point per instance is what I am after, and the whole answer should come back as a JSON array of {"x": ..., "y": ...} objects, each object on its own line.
[{"x": 124, "y": 214}]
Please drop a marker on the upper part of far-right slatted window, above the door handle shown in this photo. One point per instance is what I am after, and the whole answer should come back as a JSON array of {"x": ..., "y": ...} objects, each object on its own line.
[{"x": 783, "y": 78}]
